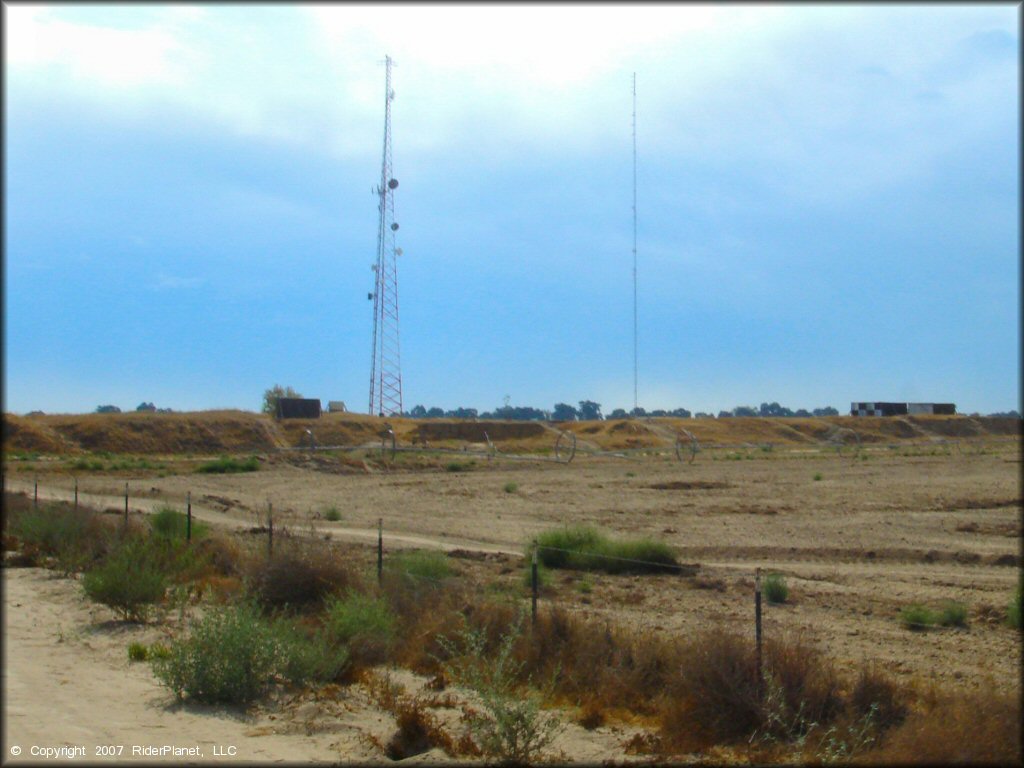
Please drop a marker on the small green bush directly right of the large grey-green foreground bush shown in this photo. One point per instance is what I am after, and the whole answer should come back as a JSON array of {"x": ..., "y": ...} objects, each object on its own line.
[{"x": 367, "y": 625}]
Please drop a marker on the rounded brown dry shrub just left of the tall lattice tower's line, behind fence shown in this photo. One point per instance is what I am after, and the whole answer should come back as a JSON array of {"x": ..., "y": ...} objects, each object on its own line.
[{"x": 298, "y": 577}]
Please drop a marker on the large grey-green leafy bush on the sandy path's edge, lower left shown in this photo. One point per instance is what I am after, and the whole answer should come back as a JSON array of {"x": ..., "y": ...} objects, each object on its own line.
[{"x": 231, "y": 657}]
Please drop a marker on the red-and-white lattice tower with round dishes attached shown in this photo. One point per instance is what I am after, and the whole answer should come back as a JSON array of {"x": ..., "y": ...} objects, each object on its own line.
[{"x": 386, "y": 367}]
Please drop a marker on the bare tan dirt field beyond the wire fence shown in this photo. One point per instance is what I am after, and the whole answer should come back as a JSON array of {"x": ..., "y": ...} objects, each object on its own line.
[{"x": 868, "y": 539}]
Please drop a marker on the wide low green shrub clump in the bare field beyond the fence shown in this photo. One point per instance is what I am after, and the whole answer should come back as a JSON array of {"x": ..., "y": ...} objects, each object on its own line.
[{"x": 584, "y": 548}]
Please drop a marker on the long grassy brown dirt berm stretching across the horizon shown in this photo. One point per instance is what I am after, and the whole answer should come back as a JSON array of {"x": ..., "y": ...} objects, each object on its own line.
[{"x": 215, "y": 433}]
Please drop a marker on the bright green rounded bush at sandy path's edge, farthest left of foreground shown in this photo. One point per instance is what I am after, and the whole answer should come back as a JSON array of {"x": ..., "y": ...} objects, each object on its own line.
[{"x": 129, "y": 581}]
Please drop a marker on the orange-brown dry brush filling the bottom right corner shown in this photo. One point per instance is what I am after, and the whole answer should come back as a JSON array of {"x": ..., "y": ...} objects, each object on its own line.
[{"x": 975, "y": 729}]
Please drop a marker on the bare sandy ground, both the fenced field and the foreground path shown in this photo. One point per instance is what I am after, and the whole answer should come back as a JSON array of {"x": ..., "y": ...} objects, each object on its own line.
[{"x": 857, "y": 545}]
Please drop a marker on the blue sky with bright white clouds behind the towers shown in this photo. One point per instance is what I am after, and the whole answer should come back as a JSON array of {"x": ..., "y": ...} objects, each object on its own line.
[{"x": 828, "y": 204}]
